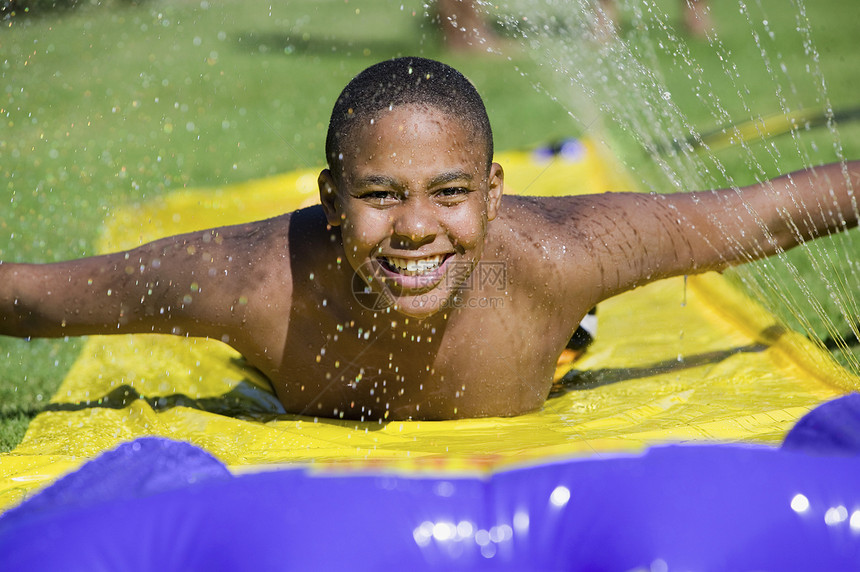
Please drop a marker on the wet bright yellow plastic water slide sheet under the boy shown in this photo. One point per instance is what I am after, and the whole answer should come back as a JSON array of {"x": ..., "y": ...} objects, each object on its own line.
[{"x": 678, "y": 361}]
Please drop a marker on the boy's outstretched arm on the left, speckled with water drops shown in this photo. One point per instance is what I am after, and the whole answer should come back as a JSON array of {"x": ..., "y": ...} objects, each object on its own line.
[{"x": 199, "y": 284}]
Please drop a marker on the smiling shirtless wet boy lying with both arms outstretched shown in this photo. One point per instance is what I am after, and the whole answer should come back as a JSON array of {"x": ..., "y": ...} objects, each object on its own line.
[{"x": 416, "y": 289}]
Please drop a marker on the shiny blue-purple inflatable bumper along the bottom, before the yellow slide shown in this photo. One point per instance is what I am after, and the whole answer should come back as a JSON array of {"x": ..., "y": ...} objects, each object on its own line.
[{"x": 703, "y": 507}]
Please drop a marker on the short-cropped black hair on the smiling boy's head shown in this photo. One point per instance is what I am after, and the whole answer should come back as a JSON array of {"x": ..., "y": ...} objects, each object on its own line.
[{"x": 403, "y": 81}]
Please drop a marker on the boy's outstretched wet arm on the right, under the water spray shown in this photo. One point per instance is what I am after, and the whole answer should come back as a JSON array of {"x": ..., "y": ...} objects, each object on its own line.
[{"x": 637, "y": 238}]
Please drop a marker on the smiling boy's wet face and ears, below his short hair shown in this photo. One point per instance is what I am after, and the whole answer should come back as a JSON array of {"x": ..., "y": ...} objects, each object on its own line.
[{"x": 413, "y": 203}]
